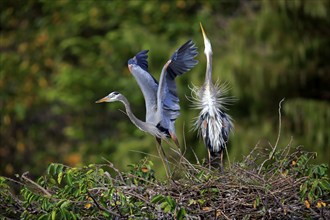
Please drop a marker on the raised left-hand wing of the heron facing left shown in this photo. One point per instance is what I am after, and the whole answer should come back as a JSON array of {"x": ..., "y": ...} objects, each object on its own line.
[{"x": 138, "y": 66}]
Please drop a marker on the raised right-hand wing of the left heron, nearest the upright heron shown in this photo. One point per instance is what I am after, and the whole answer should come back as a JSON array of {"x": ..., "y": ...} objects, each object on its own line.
[{"x": 167, "y": 100}]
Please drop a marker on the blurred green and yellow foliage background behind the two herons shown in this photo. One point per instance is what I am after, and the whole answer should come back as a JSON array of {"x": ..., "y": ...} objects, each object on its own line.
[{"x": 59, "y": 56}]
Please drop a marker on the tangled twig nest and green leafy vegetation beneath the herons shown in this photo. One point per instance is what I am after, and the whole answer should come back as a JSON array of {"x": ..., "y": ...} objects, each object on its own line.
[{"x": 278, "y": 184}]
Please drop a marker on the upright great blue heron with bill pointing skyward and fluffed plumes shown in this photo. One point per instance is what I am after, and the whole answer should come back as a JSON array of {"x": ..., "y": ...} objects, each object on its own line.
[{"x": 213, "y": 124}]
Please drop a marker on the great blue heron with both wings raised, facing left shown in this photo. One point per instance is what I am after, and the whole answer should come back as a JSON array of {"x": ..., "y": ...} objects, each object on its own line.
[{"x": 161, "y": 99}]
